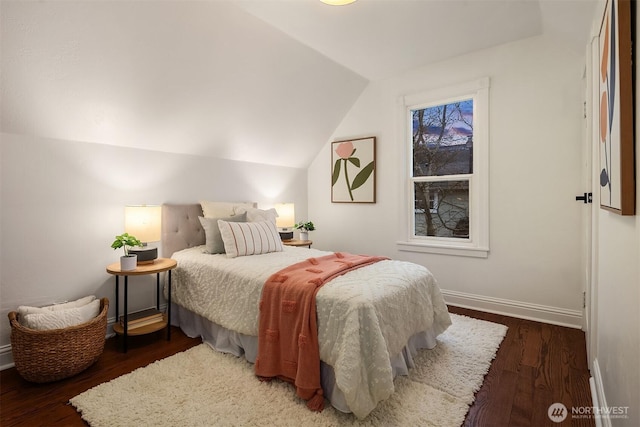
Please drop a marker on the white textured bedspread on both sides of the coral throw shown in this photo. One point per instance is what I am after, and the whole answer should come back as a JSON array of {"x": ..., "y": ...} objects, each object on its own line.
[{"x": 364, "y": 317}]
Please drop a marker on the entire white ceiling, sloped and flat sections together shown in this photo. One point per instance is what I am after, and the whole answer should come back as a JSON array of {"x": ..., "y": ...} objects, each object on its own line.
[{"x": 254, "y": 80}]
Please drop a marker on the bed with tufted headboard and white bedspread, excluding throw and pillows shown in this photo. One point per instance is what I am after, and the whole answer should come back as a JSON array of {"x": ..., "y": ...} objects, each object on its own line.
[{"x": 371, "y": 321}]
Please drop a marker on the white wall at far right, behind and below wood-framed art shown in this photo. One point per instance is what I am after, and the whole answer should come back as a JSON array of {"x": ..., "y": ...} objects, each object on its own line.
[{"x": 615, "y": 360}]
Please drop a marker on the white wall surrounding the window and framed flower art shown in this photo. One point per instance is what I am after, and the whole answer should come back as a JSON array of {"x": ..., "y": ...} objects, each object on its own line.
[{"x": 534, "y": 265}]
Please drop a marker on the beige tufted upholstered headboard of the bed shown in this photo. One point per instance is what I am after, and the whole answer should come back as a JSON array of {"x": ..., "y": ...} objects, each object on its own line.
[{"x": 181, "y": 228}]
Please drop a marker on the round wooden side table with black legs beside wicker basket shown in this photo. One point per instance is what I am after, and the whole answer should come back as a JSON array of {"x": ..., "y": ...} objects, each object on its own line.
[{"x": 159, "y": 265}]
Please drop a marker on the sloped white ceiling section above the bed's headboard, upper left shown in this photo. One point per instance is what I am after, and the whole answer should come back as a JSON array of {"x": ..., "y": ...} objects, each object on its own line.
[{"x": 198, "y": 77}]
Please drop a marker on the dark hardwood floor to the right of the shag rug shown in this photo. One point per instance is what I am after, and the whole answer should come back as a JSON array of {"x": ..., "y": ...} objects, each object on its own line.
[{"x": 536, "y": 366}]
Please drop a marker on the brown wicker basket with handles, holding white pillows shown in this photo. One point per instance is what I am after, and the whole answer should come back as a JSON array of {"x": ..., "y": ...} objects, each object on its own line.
[{"x": 51, "y": 355}]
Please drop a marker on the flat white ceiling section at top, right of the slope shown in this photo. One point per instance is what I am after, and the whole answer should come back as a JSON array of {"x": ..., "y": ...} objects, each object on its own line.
[{"x": 380, "y": 38}]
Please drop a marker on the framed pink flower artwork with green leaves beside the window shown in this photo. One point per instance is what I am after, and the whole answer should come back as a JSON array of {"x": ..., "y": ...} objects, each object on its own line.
[{"x": 353, "y": 174}]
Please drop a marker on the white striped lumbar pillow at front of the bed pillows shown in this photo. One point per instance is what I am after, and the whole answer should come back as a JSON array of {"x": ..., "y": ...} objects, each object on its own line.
[{"x": 249, "y": 238}]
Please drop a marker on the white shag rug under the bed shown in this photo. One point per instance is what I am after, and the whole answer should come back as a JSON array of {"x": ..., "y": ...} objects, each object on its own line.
[{"x": 202, "y": 387}]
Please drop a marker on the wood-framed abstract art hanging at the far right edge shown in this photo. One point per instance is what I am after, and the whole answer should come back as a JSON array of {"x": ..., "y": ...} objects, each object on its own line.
[{"x": 616, "y": 139}]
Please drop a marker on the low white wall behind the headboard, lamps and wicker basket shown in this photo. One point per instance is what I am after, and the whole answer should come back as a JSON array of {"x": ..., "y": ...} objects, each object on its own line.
[{"x": 63, "y": 202}]
